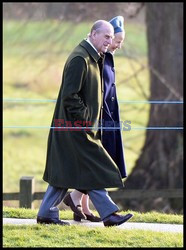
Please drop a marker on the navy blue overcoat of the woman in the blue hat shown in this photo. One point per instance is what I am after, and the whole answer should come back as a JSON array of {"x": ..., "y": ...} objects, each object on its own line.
[{"x": 112, "y": 139}]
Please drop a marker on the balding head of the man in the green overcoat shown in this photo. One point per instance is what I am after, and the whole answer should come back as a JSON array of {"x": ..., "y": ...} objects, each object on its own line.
[{"x": 101, "y": 35}]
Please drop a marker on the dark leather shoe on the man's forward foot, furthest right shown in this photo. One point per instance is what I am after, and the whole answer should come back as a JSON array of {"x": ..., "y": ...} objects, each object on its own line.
[{"x": 116, "y": 220}]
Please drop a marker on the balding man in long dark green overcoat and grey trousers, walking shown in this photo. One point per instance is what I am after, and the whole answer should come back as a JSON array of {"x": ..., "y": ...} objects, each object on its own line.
[{"x": 75, "y": 157}]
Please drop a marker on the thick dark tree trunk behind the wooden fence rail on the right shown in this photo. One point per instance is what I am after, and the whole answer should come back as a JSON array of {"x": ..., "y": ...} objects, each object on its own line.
[{"x": 160, "y": 164}]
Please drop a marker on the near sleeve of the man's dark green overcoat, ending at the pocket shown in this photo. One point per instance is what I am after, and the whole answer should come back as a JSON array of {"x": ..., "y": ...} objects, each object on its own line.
[{"x": 74, "y": 77}]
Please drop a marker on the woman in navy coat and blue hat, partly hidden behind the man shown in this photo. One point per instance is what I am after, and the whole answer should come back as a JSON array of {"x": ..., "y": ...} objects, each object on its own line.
[{"x": 111, "y": 138}]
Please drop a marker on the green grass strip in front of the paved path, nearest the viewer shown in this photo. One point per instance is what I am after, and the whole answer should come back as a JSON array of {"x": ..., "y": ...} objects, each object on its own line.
[{"x": 79, "y": 236}]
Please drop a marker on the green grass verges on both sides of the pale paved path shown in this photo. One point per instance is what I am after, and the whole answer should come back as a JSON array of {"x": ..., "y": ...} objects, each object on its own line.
[{"x": 81, "y": 236}]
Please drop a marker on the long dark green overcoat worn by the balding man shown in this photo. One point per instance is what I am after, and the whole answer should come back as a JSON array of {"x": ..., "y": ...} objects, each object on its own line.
[{"x": 77, "y": 159}]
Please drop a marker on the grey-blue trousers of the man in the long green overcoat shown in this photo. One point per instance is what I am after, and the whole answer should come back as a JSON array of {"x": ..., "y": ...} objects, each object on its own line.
[{"x": 53, "y": 197}]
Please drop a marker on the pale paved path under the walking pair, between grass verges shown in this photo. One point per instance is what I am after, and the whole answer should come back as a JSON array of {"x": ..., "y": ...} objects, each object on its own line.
[{"x": 128, "y": 225}]
